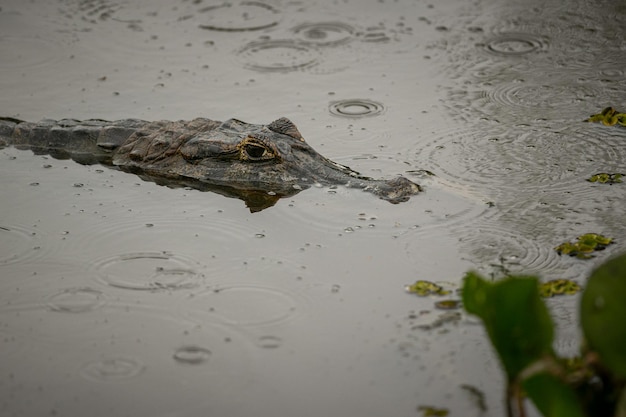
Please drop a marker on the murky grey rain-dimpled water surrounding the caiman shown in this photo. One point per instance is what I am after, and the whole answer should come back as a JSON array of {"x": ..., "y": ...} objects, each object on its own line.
[{"x": 122, "y": 297}]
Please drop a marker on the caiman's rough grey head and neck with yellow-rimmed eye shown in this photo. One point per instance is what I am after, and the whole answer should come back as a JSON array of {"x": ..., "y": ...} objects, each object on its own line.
[{"x": 245, "y": 159}]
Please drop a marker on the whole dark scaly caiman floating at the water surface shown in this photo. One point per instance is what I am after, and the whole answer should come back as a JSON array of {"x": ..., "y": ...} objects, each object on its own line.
[{"x": 256, "y": 163}]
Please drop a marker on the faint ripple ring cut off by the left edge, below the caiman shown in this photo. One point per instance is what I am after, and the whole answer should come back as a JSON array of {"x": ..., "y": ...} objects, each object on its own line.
[{"x": 18, "y": 244}]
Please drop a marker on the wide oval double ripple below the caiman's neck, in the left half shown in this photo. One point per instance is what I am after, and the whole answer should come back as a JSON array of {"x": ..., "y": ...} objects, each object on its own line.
[{"x": 149, "y": 271}]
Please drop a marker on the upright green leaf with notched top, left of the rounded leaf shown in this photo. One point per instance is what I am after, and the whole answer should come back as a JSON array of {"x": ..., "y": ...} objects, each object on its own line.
[{"x": 516, "y": 319}]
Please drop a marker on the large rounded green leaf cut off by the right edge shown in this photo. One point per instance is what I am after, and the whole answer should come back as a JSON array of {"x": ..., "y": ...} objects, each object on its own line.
[{"x": 603, "y": 311}]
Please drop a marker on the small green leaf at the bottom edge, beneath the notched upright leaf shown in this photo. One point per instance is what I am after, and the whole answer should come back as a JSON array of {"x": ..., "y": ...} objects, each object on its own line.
[{"x": 552, "y": 397}]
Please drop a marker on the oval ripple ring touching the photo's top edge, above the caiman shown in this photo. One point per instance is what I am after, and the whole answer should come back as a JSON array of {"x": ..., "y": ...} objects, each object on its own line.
[{"x": 240, "y": 17}]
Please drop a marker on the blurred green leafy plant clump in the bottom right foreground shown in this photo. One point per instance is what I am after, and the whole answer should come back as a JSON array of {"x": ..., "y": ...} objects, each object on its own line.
[{"x": 521, "y": 331}]
